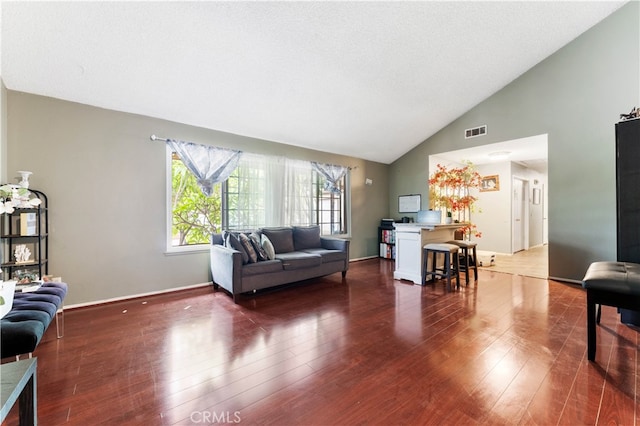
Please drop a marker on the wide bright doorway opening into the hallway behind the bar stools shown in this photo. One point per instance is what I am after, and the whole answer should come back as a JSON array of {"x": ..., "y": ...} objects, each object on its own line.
[{"x": 520, "y": 228}]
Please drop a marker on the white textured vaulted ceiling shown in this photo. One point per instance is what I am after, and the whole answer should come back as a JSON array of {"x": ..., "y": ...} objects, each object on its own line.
[{"x": 365, "y": 79}]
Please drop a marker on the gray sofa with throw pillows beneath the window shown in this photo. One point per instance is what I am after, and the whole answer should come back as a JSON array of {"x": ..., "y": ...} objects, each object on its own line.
[{"x": 249, "y": 261}]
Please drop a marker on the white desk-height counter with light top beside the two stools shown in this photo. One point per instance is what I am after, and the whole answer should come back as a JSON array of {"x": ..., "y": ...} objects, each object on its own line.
[{"x": 410, "y": 238}]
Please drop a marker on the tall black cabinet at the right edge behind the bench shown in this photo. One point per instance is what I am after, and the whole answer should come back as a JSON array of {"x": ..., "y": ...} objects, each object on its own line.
[{"x": 628, "y": 198}]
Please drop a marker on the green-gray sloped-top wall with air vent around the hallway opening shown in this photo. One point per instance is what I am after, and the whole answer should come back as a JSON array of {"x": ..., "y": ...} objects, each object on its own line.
[{"x": 576, "y": 97}]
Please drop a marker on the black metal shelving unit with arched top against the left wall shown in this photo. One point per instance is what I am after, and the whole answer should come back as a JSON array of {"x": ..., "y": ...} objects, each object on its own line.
[{"x": 34, "y": 234}]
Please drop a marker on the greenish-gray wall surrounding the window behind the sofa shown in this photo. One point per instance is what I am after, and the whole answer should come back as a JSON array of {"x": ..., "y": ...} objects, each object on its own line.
[{"x": 106, "y": 184}]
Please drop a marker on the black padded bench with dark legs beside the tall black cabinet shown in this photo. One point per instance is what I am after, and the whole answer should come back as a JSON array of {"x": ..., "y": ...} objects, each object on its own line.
[{"x": 613, "y": 284}]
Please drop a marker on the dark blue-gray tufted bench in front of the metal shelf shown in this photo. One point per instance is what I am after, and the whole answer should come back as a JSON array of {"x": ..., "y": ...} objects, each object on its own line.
[{"x": 24, "y": 325}]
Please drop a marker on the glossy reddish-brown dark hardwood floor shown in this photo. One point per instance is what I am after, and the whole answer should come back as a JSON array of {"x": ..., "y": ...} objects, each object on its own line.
[{"x": 364, "y": 350}]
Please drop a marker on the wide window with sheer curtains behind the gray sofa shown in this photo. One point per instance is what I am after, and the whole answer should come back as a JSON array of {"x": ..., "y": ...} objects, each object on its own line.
[{"x": 262, "y": 191}]
